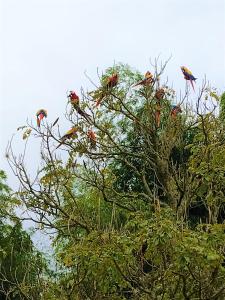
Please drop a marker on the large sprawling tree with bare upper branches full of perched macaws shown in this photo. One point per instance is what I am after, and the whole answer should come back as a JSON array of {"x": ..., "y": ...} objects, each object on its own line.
[{"x": 123, "y": 209}]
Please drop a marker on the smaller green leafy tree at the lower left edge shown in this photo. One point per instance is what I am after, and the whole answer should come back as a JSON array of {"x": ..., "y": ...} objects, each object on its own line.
[{"x": 21, "y": 266}]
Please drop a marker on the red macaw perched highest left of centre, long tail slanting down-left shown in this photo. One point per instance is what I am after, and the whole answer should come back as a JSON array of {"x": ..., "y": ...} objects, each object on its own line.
[{"x": 103, "y": 91}]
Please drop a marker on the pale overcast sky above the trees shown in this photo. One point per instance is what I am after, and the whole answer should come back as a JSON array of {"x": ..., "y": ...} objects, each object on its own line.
[{"x": 48, "y": 44}]
